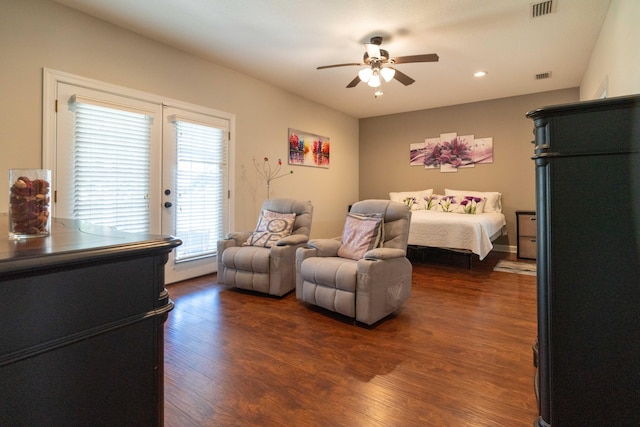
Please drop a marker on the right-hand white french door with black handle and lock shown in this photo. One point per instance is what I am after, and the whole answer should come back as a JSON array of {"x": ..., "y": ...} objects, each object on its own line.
[{"x": 195, "y": 189}]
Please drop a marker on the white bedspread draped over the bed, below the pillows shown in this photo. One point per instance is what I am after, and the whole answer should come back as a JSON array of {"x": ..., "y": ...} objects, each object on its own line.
[{"x": 456, "y": 231}]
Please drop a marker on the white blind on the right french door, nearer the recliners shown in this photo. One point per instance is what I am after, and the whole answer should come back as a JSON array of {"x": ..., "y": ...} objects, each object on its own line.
[{"x": 201, "y": 173}]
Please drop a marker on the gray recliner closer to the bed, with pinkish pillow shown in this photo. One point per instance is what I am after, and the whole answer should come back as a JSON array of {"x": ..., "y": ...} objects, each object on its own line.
[{"x": 367, "y": 287}]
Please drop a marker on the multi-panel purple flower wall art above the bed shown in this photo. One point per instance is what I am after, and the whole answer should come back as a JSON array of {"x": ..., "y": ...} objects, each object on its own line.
[{"x": 450, "y": 152}]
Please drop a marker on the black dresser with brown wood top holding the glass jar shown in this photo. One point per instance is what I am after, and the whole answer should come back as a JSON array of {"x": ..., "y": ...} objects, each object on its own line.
[{"x": 81, "y": 329}]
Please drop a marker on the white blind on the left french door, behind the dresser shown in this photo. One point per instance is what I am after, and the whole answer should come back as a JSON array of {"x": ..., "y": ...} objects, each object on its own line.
[{"x": 111, "y": 165}]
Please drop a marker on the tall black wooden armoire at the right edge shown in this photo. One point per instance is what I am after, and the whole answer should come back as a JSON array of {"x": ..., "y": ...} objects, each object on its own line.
[{"x": 587, "y": 159}]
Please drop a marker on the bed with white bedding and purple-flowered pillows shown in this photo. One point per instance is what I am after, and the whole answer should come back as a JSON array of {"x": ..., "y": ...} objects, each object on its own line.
[{"x": 459, "y": 220}]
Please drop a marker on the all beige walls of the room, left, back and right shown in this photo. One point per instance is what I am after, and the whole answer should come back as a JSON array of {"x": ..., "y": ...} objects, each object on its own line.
[{"x": 40, "y": 33}]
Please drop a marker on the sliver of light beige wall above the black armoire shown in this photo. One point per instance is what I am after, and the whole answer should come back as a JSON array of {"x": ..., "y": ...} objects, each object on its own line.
[{"x": 615, "y": 61}]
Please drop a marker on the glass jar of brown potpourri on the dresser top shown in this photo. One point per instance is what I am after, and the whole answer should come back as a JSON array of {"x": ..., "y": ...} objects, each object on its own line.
[{"x": 29, "y": 203}]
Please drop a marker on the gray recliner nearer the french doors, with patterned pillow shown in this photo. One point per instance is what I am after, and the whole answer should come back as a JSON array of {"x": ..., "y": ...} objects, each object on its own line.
[{"x": 263, "y": 260}]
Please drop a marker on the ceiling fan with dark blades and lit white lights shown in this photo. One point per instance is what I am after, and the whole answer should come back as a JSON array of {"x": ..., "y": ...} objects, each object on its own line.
[{"x": 379, "y": 65}]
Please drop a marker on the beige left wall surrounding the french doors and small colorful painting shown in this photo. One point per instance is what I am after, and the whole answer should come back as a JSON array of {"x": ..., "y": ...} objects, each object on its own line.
[{"x": 40, "y": 33}]
